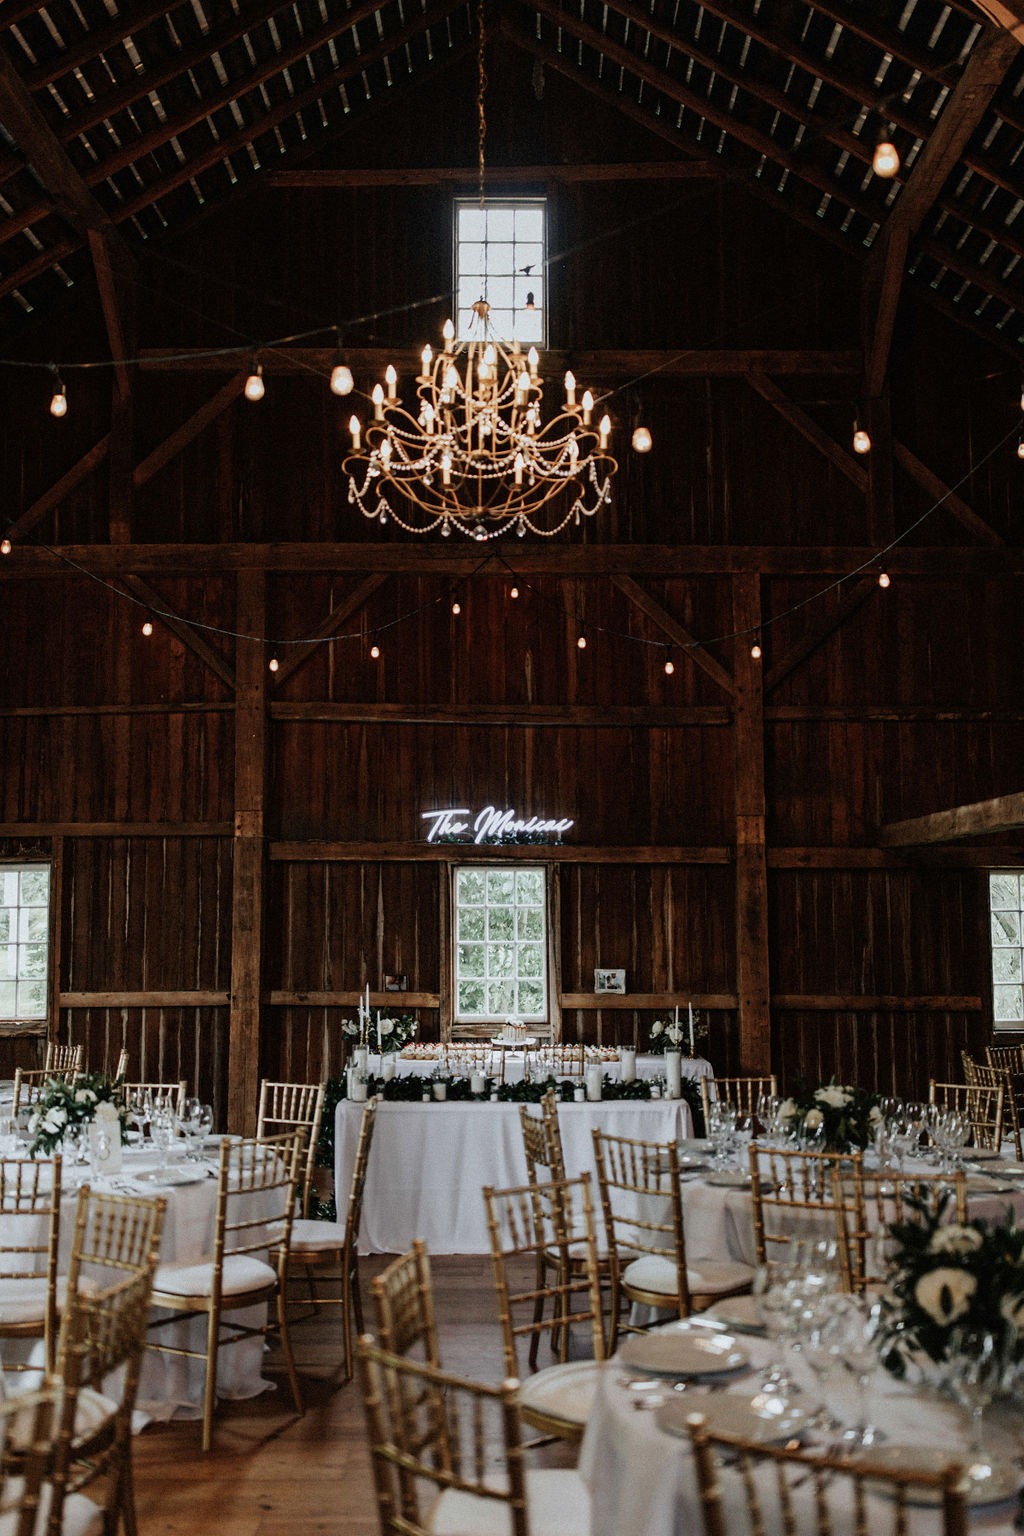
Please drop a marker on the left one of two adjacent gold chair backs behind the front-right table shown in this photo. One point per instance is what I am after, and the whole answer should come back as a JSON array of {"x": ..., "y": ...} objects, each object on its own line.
[{"x": 793, "y": 1197}]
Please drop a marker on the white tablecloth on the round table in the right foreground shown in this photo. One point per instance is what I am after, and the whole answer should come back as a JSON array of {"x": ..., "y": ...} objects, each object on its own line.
[{"x": 642, "y": 1480}]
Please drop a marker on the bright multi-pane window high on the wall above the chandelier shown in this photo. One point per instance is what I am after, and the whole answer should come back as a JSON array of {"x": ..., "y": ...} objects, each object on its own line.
[{"x": 500, "y": 254}]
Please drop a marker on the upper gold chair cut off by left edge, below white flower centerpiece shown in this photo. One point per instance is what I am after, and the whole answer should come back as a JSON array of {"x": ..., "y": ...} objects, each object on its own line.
[{"x": 30, "y": 1239}]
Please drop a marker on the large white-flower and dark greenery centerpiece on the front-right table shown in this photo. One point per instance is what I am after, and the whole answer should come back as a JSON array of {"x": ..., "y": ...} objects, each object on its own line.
[{"x": 948, "y": 1279}]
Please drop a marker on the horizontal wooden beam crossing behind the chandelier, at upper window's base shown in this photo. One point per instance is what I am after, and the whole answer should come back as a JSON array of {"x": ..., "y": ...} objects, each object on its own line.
[{"x": 607, "y": 365}]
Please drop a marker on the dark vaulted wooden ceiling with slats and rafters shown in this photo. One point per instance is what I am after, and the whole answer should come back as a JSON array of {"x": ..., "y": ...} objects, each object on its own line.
[{"x": 124, "y": 121}]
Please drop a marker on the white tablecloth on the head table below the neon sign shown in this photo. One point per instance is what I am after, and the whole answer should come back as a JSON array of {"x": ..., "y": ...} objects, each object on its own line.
[{"x": 431, "y": 1162}]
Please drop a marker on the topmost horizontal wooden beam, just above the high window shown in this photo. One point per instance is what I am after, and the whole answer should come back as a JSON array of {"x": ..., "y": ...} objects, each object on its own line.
[{"x": 561, "y": 176}]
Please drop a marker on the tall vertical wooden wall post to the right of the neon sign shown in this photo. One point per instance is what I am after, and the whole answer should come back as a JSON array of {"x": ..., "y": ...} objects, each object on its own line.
[{"x": 751, "y": 870}]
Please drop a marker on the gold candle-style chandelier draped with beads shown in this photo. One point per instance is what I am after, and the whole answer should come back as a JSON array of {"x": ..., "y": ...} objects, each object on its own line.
[{"x": 478, "y": 455}]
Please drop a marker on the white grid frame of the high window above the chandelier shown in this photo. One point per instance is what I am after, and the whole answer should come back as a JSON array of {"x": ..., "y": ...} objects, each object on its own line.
[{"x": 509, "y": 322}]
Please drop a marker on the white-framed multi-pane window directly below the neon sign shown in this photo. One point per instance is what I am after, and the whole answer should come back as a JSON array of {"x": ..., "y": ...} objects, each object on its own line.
[{"x": 501, "y": 945}]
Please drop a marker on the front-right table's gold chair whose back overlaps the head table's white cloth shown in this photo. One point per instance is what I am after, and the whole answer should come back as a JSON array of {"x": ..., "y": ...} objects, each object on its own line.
[{"x": 524, "y": 1223}]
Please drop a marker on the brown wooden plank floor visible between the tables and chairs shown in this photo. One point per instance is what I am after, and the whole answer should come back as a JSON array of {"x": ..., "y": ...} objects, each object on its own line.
[{"x": 269, "y": 1469}]
